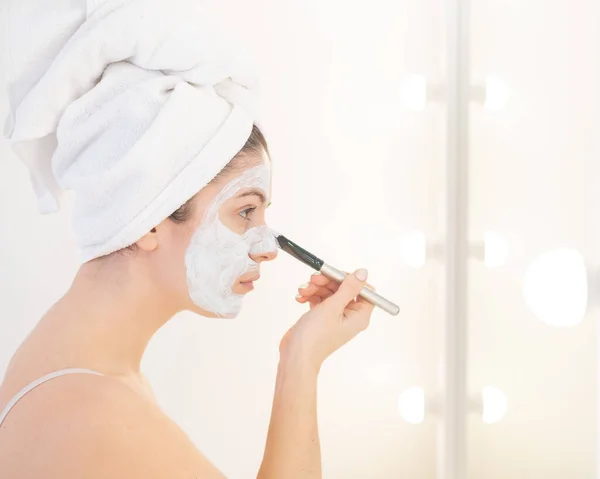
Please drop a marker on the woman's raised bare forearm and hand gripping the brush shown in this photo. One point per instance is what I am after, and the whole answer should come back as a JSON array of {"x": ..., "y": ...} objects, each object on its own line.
[{"x": 293, "y": 449}]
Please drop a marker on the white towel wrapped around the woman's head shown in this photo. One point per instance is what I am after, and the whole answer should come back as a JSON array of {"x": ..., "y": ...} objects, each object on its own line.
[{"x": 135, "y": 105}]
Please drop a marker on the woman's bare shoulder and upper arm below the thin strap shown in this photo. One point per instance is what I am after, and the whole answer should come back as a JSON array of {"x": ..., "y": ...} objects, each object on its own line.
[{"x": 94, "y": 426}]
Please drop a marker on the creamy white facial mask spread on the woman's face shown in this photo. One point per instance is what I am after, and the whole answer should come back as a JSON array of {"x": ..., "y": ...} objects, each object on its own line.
[{"x": 217, "y": 256}]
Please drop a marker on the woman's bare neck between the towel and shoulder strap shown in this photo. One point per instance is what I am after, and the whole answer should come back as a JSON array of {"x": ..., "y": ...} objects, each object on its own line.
[{"x": 106, "y": 319}]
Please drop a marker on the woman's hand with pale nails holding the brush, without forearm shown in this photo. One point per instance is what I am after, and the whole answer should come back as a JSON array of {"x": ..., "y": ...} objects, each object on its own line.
[{"x": 336, "y": 316}]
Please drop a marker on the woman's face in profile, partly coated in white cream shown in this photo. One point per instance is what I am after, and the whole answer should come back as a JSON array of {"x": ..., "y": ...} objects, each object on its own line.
[{"x": 219, "y": 250}]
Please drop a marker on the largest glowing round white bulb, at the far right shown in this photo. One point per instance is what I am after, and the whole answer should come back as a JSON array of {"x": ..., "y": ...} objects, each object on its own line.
[{"x": 556, "y": 287}]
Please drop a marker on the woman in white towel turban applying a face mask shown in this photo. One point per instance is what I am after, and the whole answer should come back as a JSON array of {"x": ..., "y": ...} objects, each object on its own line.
[{"x": 190, "y": 238}]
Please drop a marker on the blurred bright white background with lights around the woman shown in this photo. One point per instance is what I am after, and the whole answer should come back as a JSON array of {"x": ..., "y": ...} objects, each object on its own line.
[{"x": 355, "y": 96}]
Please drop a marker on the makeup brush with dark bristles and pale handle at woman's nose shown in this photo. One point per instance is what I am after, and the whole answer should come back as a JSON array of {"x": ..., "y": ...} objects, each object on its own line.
[{"x": 332, "y": 273}]
